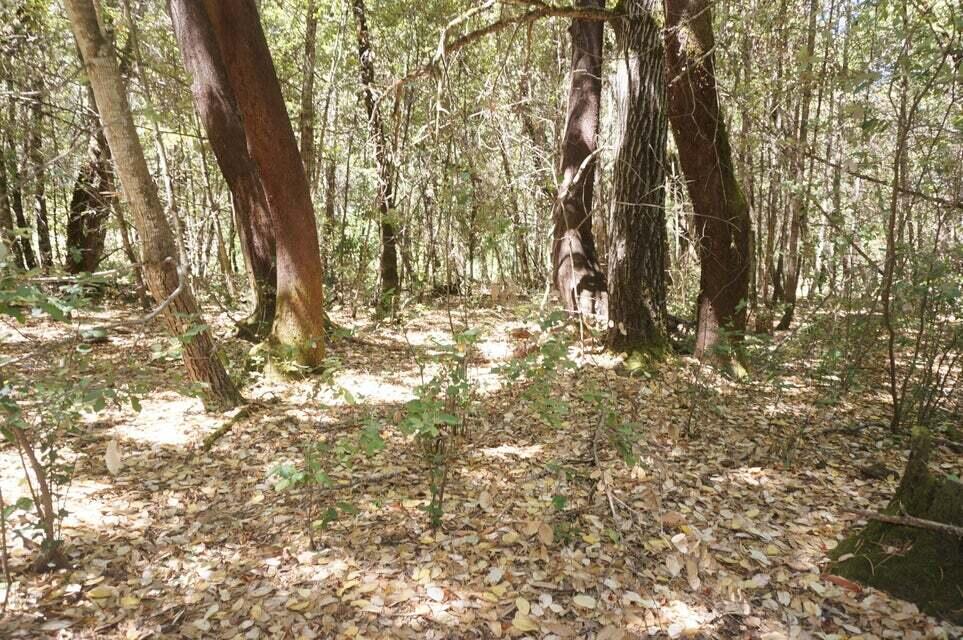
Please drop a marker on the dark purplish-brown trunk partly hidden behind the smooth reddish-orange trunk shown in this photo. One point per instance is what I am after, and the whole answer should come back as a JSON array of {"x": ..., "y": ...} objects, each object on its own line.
[{"x": 217, "y": 107}]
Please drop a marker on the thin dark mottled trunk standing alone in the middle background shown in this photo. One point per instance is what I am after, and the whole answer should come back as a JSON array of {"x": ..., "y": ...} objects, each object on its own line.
[{"x": 390, "y": 279}]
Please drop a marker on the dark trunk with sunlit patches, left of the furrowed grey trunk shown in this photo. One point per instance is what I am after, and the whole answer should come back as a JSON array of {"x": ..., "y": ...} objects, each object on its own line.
[{"x": 577, "y": 276}]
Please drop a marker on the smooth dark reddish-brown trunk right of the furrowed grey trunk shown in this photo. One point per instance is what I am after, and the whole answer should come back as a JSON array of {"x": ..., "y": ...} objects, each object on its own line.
[{"x": 721, "y": 211}]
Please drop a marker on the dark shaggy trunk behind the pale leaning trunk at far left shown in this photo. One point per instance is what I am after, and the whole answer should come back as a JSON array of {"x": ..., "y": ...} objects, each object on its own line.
[{"x": 91, "y": 202}]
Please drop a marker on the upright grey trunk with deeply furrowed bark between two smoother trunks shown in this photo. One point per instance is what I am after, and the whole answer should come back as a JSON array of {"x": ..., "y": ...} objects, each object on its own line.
[{"x": 637, "y": 235}]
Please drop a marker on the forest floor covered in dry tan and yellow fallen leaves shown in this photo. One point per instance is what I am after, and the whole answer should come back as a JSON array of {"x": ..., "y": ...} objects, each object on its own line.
[{"x": 721, "y": 529}]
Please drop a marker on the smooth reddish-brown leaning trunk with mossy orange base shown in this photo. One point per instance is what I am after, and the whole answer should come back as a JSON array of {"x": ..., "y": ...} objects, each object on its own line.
[{"x": 299, "y": 321}]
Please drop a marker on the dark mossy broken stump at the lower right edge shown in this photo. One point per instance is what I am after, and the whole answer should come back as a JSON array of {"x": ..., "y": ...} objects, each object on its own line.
[{"x": 919, "y": 565}]
